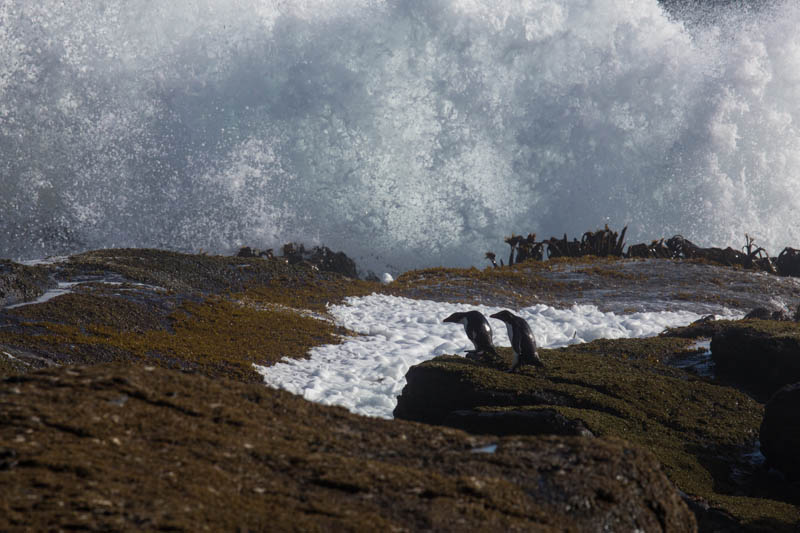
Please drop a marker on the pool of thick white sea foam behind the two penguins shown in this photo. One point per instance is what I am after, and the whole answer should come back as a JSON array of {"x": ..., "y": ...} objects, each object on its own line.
[{"x": 366, "y": 373}]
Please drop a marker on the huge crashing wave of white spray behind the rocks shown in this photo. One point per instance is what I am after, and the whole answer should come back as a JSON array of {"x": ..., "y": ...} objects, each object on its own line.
[{"x": 404, "y": 133}]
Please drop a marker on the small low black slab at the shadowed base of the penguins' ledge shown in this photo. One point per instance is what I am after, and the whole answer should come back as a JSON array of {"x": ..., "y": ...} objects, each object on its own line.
[{"x": 516, "y": 422}]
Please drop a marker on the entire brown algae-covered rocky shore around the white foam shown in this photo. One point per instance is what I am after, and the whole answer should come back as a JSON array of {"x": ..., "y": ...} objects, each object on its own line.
[{"x": 168, "y": 426}]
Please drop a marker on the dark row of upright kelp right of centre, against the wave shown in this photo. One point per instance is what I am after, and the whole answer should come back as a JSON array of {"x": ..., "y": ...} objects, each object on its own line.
[{"x": 609, "y": 243}]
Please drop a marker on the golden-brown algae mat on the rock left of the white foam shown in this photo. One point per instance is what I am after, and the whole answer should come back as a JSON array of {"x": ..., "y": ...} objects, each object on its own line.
[{"x": 216, "y": 336}]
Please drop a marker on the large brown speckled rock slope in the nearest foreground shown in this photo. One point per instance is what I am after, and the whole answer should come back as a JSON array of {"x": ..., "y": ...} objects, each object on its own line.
[{"x": 143, "y": 448}]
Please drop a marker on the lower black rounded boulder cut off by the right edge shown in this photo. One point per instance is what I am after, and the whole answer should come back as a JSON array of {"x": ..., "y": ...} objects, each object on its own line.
[{"x": 780, "y": 430}]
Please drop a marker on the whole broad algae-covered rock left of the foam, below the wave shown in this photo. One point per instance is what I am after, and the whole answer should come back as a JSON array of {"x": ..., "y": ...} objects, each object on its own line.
[{"x": 209, "y": 314}]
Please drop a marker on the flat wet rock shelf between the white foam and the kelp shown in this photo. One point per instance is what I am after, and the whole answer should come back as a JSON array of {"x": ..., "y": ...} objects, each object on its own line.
[{"x": 618, "y": 285}]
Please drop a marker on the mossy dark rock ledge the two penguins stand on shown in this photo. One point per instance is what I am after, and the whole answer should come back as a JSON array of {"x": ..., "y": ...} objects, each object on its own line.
[{"x": 702, "y": 432}]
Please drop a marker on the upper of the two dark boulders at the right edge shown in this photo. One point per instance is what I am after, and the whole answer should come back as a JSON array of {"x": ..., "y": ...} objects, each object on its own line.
[{"x": 760, "y": 355}]
